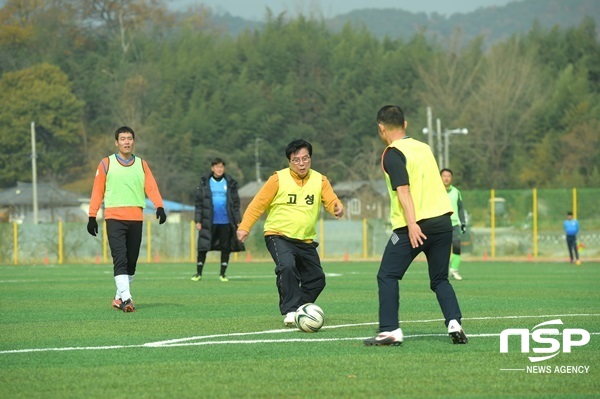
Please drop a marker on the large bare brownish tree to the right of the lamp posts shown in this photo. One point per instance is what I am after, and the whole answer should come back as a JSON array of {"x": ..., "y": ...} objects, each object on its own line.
[{"x": 500, "y": 110}]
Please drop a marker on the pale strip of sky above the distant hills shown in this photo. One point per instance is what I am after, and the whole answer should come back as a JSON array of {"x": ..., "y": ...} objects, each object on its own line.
[{"x": 255, "y": 9}]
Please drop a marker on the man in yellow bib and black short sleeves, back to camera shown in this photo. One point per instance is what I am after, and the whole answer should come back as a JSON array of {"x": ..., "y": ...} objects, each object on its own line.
[{"x": 420, "y": 215}]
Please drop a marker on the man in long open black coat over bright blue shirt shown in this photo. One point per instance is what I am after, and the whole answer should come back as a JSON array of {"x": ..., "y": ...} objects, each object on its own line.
[{"x": 217, "y": 217}]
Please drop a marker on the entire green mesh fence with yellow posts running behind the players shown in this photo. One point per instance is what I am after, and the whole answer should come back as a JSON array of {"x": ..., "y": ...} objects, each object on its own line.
[{"x": 502, "y": 224}]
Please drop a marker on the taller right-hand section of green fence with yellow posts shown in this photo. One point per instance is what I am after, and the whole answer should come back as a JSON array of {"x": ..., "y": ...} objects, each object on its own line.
[{"x": 529, "y": 223}]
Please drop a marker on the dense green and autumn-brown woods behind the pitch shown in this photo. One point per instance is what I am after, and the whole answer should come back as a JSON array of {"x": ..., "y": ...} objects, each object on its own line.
[{"x": 81, "y": 68}]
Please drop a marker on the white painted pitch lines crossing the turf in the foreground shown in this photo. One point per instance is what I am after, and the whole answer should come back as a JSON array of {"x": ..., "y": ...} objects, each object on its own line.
[{"x": 182, "y": 341}]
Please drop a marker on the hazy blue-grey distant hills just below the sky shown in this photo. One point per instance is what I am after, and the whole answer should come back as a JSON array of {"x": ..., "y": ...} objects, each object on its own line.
[{"x": 494, "y": 23}]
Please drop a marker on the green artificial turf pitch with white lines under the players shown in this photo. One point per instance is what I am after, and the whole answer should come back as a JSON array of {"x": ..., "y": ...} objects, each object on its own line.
[{"x": 61, "y": 339}]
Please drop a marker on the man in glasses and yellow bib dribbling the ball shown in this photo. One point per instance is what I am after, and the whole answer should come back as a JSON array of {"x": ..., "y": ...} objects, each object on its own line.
[{"x": 293, "y": 197}]
